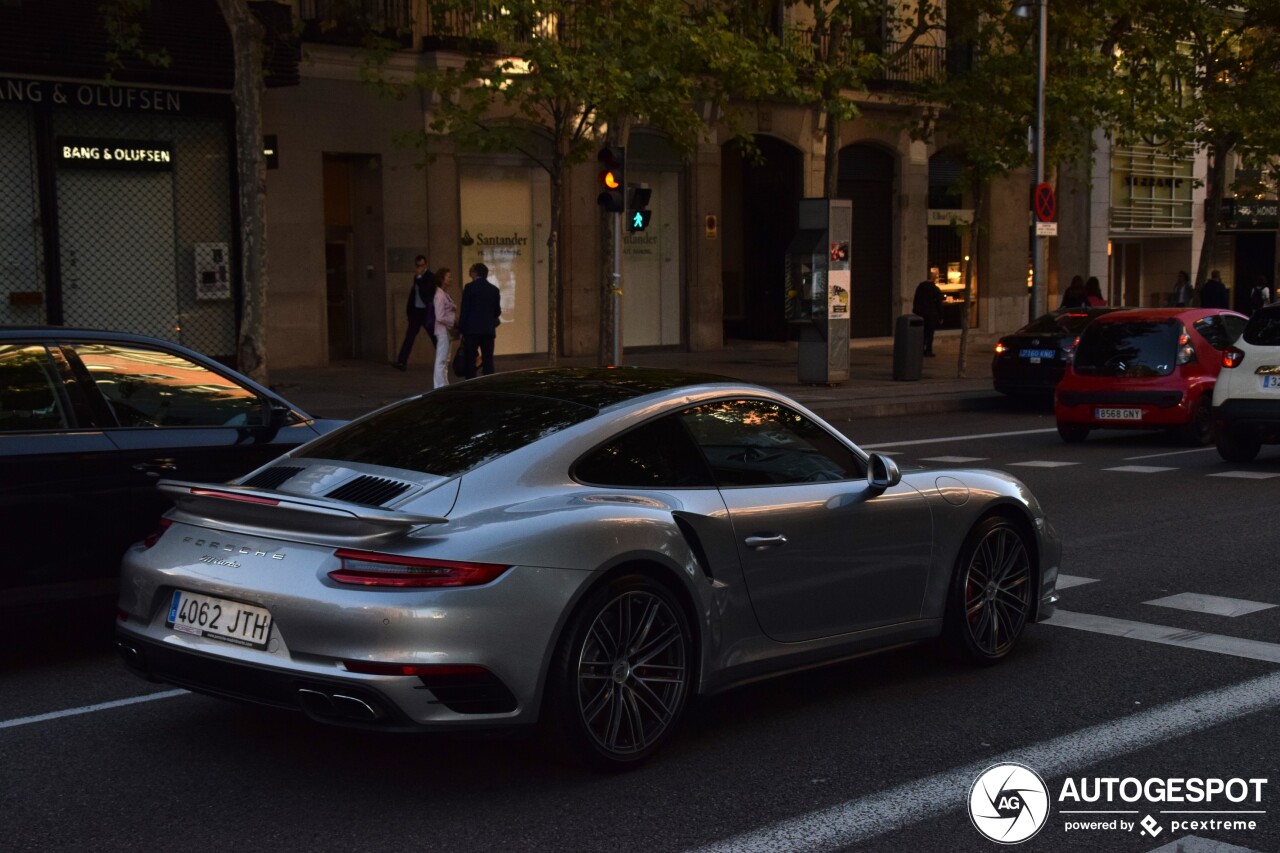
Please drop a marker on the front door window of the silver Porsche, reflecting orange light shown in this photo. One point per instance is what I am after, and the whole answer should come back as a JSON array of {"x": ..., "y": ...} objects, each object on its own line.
[{"x": 760, "y": 443}]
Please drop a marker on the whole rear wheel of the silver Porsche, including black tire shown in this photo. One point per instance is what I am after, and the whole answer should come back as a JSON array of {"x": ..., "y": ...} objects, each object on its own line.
[{"x": 621, "y": 676}]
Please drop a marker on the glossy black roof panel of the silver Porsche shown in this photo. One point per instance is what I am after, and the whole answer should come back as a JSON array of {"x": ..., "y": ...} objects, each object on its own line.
[{"x": 595, "y": 387}]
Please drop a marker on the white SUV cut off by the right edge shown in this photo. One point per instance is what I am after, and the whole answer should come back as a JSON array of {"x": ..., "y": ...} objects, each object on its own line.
[{"x": 1247, "y": 395}]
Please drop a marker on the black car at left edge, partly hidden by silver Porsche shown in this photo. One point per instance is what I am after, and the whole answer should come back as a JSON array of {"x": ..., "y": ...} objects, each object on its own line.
[{"x": 89, "y": 422}]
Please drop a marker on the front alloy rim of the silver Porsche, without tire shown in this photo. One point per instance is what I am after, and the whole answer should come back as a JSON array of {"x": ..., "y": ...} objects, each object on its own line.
[{"x": 998, "y": 591}]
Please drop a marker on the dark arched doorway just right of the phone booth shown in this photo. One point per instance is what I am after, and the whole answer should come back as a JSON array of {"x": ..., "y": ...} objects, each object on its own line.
[{"x": 867, "y": 180}]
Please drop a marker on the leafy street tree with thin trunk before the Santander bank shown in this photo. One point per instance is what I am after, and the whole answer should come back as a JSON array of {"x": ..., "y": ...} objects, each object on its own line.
[{"x": 555, "y": 80}]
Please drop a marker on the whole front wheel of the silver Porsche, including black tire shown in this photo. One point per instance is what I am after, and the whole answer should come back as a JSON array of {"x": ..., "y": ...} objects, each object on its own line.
[{"x": 991, "y": 595}]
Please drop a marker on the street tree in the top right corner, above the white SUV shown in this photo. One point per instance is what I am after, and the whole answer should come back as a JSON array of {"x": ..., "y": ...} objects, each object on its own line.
[{"x": 1201, "y": 76}]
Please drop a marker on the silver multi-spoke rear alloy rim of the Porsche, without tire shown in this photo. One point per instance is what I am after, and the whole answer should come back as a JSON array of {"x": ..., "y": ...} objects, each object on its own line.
[{"x": 633, "y": 673}]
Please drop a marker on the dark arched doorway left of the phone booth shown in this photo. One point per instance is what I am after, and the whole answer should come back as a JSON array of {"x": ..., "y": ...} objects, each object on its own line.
[{"x": 760, "y": 203}]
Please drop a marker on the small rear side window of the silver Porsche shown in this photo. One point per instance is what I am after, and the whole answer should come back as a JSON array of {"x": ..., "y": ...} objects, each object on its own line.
[{"x": 657, "y": 455}]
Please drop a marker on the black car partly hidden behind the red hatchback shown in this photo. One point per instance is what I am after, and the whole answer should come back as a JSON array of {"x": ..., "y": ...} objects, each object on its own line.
[{"x": 1030, "y": 363}]
